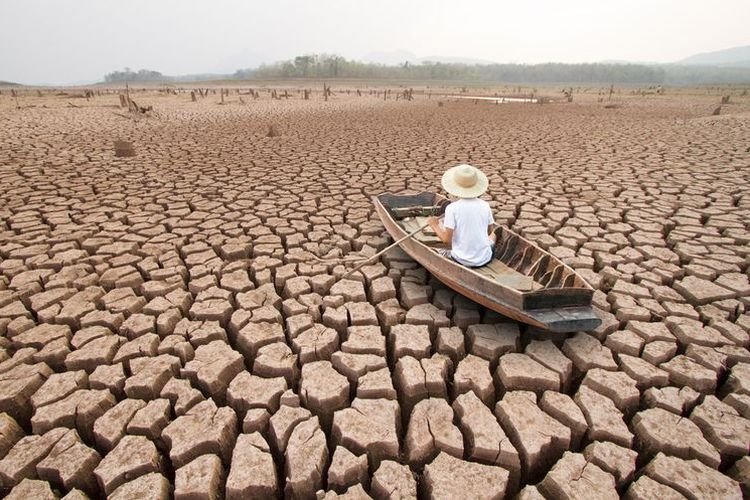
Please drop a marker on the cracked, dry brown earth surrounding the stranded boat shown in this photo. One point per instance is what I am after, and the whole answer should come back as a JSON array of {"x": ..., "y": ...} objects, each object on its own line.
[{"x": 166, "y": 331}]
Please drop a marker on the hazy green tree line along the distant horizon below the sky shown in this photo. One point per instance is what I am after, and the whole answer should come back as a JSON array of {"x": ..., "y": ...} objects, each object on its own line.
[{"x": 327, "y": 66}]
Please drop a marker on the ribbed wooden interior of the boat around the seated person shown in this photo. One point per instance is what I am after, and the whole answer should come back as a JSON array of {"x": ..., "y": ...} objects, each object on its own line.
[{"x": 518, "y": 264}]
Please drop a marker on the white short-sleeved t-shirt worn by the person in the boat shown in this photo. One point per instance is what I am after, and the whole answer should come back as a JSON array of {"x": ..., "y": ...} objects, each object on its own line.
[{"x": 469, "y": 218}]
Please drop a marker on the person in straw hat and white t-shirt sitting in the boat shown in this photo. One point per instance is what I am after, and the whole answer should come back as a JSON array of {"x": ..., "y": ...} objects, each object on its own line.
[{"x": 468, "y": 221}]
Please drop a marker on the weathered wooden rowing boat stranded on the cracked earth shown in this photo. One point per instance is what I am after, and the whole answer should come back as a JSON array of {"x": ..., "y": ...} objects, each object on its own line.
[{"x": 522, "y": 282}]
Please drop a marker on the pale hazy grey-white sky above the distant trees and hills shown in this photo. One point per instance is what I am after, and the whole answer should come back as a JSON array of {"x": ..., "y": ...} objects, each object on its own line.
[{"x": 81, "y": 40}]
